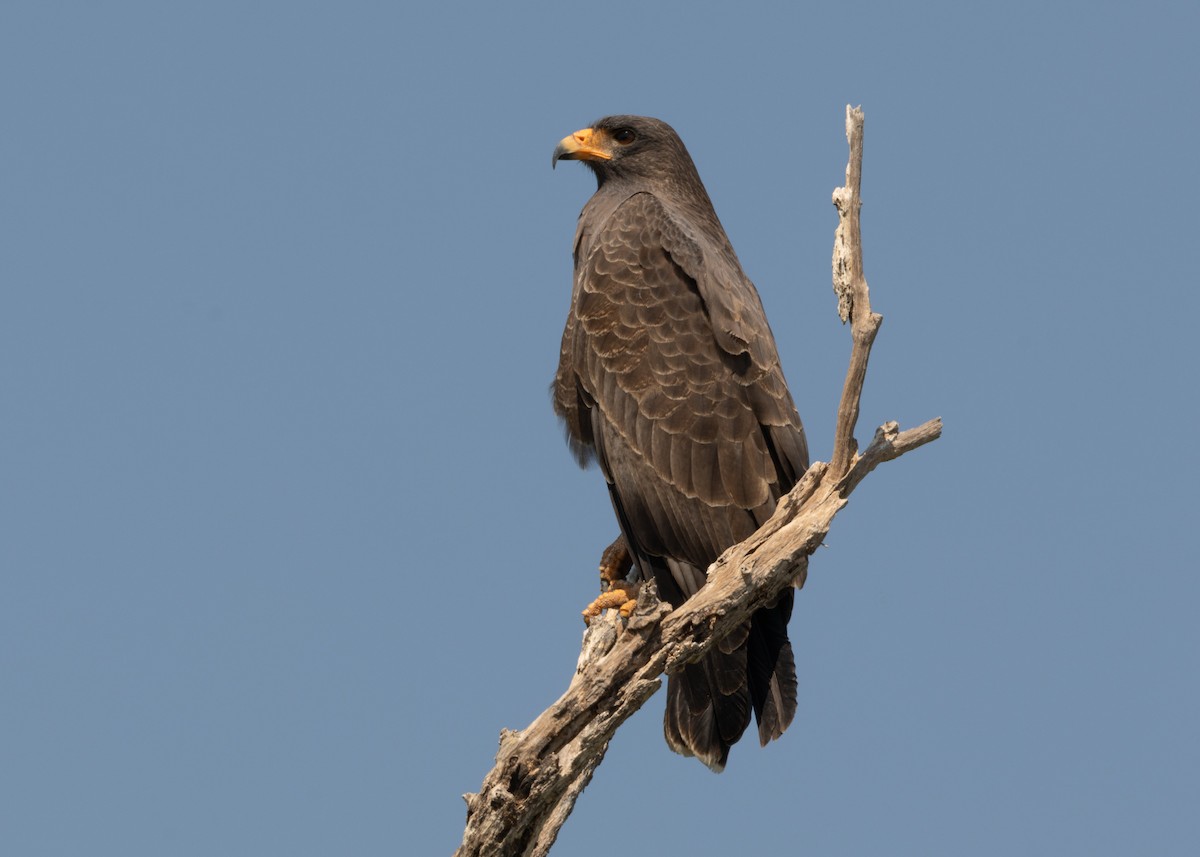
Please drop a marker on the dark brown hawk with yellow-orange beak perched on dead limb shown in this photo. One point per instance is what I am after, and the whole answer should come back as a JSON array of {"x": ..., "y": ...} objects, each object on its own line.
[{"x": 670, "y": 380}]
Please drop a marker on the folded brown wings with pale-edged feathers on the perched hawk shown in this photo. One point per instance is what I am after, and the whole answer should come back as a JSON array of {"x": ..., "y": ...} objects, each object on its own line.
[{"x": 697, "y": 432}]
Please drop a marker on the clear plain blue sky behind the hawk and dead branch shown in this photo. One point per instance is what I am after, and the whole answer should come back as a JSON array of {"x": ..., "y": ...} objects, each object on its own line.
[{"x": 289, "y": 531}]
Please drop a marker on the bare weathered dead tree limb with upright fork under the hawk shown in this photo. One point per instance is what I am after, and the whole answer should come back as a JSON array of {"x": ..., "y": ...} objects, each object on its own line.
[{"x": 541, "y": 771}]
